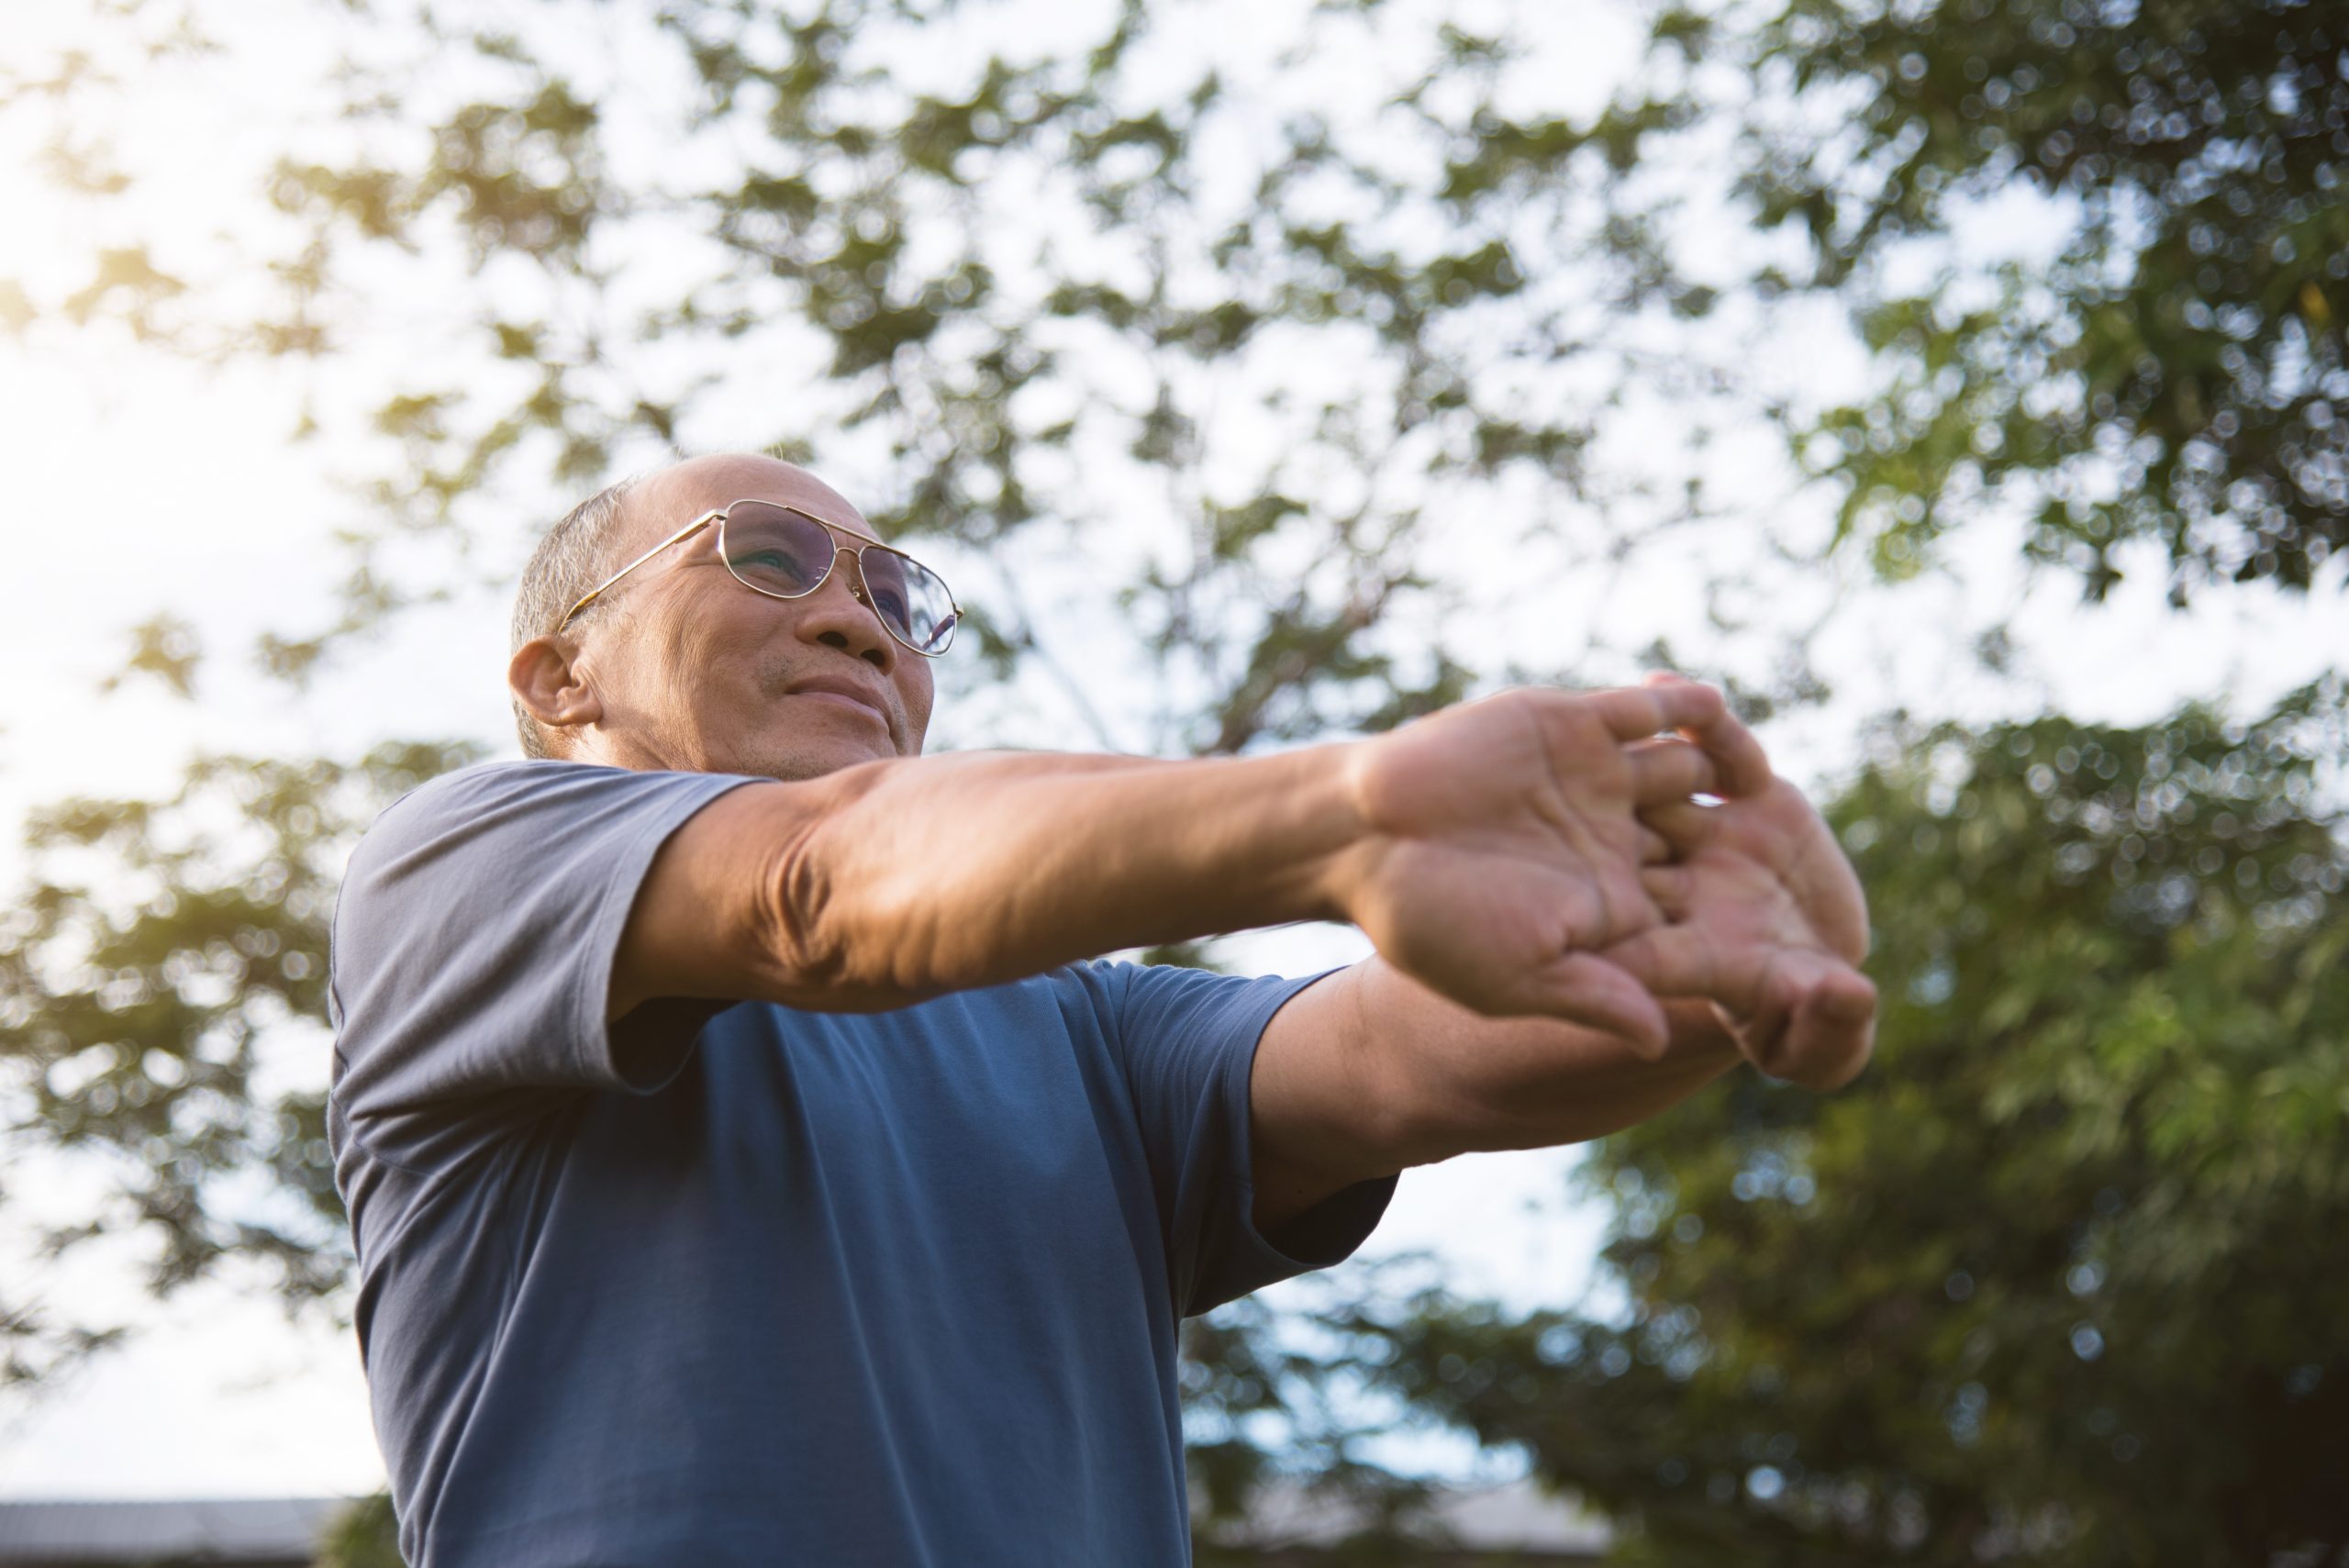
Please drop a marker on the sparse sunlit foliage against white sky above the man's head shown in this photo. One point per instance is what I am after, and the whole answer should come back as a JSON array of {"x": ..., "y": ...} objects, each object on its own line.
[{"x": 1260, "y": 363}]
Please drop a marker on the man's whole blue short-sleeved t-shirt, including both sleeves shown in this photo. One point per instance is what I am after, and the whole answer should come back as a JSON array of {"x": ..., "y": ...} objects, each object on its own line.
[{"x": 751, "y": 1285}]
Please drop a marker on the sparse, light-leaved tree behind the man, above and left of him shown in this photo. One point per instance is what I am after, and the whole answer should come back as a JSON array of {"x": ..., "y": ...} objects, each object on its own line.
[{"x": 1157, "y": 358}]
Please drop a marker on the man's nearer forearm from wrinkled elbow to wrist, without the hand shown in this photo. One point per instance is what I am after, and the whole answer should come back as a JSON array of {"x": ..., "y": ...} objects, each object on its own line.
[{"x": 974, "y": 870}]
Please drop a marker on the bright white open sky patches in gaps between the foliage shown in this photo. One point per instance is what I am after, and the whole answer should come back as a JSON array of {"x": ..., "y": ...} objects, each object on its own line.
[{"x": 140, "y": 482}]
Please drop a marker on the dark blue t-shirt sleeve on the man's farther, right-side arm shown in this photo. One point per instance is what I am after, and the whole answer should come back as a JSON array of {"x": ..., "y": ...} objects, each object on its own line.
[{"x": 1187, "y": 1043}]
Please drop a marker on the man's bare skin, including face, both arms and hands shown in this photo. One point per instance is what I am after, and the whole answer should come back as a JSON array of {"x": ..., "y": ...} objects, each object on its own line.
[{"x": 1566, "y": 938}]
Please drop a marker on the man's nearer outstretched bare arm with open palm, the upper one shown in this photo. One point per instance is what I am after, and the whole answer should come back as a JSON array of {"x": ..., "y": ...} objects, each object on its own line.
[{"x": 1488, "y": 851}]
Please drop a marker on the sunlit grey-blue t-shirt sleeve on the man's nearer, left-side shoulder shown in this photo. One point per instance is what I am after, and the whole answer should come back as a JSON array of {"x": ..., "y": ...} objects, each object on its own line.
[{"x": 476, "y": 935}]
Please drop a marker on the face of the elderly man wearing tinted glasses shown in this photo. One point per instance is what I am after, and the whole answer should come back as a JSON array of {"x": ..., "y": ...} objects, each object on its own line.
[{"x": 696, "y": 673}]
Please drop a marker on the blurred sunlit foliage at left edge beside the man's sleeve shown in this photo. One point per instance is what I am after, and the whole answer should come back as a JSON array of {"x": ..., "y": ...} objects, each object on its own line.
[{"x": 159, "y": 968}]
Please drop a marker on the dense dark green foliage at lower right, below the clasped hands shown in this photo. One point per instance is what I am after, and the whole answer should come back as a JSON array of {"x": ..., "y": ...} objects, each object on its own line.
[{"x": 2054, "y": 1283}]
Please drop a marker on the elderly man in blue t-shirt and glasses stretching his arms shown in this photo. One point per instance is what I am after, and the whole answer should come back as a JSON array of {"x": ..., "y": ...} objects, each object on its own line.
[{"x": 748, "y": 1161}]
